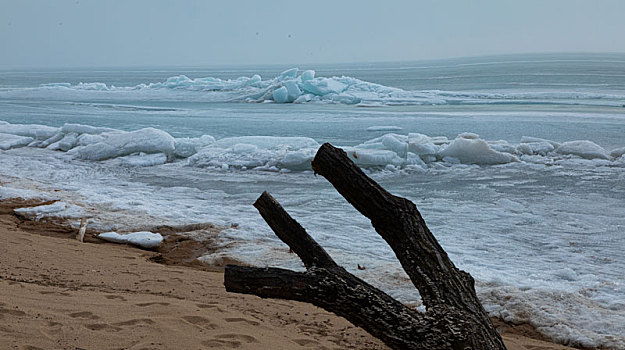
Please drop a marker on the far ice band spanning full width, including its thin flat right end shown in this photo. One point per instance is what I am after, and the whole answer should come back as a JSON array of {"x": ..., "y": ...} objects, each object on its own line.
[{"x": 302, "y": 86}]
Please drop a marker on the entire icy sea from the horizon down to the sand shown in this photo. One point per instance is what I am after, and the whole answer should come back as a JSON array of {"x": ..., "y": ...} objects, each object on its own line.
[{"x": 516, "y": 164}]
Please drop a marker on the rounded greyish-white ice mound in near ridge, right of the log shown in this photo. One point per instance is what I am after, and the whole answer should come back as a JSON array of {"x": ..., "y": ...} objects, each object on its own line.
[{"x": 475, "y": 151}]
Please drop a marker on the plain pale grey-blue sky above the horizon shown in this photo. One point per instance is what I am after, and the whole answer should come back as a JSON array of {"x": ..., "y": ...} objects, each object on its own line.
[{"x": 161, "y": 33}]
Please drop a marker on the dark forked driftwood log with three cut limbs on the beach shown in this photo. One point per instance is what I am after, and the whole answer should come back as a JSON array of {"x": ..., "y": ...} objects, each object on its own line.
[{"x": 454, "y": 317}]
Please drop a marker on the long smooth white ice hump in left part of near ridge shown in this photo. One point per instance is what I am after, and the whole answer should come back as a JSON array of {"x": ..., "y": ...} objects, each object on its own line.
[{"x": 148, "y": 140}]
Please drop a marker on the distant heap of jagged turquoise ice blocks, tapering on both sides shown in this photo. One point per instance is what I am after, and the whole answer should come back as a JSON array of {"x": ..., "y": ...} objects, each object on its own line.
[{"x": 290, "y": 86}]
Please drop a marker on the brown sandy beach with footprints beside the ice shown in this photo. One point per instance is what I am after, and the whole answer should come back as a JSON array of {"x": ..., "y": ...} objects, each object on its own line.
[{"x": 58, "y": 293}]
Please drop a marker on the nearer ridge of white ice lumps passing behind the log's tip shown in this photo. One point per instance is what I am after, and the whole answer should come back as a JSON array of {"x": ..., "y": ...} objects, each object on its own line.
[{"x": 150, "y": 147}]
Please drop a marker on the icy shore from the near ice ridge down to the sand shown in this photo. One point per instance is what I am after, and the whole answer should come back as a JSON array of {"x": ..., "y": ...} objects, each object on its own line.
[{"x": 540, "y": 240}]
